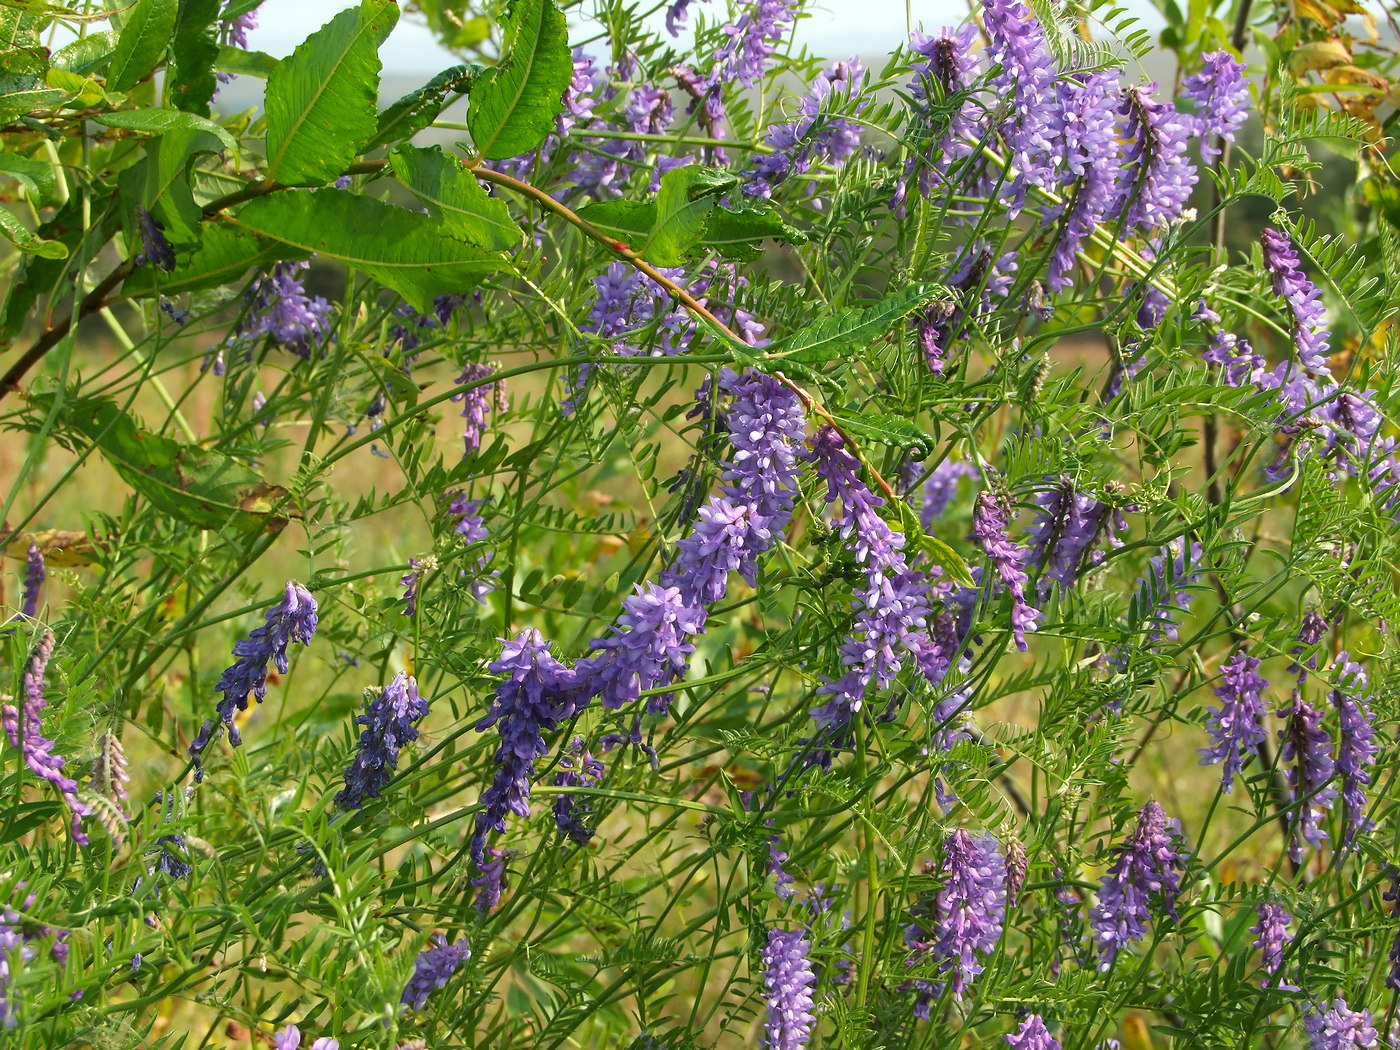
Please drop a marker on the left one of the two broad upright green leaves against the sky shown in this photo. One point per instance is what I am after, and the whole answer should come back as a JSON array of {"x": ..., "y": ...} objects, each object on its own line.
[{"x": 323, "y": 100}]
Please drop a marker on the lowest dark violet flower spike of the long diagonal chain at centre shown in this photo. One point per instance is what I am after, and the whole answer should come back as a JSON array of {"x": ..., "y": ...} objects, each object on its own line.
[{"x": 535, "y": 696}]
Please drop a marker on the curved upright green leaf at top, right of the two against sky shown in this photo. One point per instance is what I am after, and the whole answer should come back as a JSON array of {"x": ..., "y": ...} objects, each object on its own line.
[{"x": 516, "y": 106}]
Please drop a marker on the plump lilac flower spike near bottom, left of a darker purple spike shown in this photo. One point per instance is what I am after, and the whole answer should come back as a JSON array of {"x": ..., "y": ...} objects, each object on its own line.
[{"x": 971, "y": 906}]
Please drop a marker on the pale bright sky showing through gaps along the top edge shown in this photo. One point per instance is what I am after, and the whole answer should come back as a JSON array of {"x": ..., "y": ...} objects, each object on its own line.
[{"x": 835, "y": 30}]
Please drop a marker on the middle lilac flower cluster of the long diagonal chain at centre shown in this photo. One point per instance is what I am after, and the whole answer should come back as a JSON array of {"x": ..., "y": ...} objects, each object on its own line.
[{"x": 646, "y": 649}]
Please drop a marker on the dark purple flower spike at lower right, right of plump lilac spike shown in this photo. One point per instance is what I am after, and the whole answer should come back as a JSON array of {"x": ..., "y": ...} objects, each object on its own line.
[{"x": 1147, "y": 867}]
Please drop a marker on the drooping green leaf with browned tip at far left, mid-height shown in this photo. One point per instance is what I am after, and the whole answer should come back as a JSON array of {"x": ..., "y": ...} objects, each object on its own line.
[{"x": 198, "y": 486}]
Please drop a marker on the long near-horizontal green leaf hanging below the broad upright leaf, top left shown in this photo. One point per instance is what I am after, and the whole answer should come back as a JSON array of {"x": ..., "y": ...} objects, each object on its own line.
[{"x": 402, "y": 250}]
